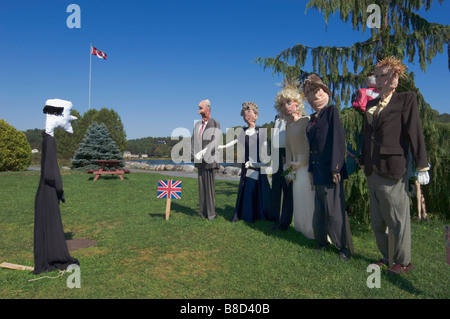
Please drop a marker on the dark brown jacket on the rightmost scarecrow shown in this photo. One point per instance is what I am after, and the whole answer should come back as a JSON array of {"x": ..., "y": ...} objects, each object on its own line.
[{"x": 386, "y": 143}]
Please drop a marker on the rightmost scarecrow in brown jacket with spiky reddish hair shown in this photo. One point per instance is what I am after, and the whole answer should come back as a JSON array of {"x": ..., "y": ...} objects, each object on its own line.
[{"x": 392, "y": 127}]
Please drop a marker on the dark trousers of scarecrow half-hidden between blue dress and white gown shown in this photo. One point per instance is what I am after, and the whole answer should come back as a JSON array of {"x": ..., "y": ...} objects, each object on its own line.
[{"x": 282, "y": 212}]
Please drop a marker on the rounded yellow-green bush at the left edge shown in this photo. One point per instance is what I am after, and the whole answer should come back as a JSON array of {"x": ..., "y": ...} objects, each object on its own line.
[{"x": 15, "y": 151}]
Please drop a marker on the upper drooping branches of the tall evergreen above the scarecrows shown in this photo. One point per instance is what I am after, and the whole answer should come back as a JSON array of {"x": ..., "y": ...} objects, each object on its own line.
[{"x": 402, "y": 33}]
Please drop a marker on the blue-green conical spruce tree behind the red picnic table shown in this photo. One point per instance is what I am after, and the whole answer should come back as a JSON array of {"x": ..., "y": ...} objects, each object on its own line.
[{"x": 97, "y": 145}]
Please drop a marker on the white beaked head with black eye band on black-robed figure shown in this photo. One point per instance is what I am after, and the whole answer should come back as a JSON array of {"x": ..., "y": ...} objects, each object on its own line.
[{"x": 58, "y": 115}]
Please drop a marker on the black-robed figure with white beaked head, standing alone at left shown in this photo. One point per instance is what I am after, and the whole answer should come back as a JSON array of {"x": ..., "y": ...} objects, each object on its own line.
[{"x": 50, "y": 247}]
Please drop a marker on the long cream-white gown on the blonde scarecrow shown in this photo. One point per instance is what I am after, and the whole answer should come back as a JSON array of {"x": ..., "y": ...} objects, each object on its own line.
[{"x": 297, "y": 151}]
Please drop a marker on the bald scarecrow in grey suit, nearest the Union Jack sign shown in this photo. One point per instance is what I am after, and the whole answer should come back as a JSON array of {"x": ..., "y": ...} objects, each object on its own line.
[{"x": 205, "y": 139}]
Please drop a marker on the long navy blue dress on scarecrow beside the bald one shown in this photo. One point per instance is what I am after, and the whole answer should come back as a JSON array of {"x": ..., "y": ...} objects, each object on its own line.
[{"x": 254, "y": 196}]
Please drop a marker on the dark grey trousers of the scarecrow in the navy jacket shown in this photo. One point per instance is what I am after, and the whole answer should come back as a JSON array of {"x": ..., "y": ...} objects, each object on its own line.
[{"x": 329, "y": 215}]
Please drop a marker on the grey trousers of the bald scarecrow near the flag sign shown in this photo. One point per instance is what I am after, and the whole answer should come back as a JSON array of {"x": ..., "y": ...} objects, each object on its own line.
[{"x": 206, "y": 201}]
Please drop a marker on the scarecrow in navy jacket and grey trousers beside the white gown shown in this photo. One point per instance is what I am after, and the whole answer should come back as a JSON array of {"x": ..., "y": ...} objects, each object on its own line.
[{"x": 327, "y": 167}]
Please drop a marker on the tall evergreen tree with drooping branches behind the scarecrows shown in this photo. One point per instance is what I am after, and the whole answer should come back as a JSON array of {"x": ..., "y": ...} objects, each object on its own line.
[{"x": 401, "y": 32}]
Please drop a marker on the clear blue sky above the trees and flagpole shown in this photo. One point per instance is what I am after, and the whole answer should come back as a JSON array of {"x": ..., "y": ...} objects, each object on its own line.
[{"x": 164, "y": 56}]
